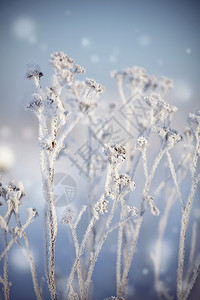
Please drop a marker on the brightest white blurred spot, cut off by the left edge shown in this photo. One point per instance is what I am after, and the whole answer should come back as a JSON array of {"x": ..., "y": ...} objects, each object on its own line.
[{"x": 7, "y": 158}]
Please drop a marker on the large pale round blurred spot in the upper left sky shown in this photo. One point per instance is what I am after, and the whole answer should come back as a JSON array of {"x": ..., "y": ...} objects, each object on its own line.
[{"x": 24, "y": 27}]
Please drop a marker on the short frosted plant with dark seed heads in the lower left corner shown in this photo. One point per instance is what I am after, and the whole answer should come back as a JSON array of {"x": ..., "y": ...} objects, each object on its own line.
[{"x": 12, "y": 196}]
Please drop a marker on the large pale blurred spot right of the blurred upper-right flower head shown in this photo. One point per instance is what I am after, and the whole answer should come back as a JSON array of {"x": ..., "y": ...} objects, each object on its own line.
[{"x": 182, "y": 91}]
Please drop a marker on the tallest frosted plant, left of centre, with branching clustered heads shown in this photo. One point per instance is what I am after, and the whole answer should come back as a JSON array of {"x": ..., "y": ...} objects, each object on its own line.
[{"x": 54, "y": 126}]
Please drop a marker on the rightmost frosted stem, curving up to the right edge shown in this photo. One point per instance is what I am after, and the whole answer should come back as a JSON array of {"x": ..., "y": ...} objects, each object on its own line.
[{"x": 184, "y": 226}]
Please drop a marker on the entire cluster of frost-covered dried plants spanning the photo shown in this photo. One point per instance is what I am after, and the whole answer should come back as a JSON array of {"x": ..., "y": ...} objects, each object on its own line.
[{"x": 117, "y": 208}]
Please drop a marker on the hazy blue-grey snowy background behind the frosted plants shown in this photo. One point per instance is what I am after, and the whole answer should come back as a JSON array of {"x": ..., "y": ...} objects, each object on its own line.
[{"x": 161, "y": 36}]
